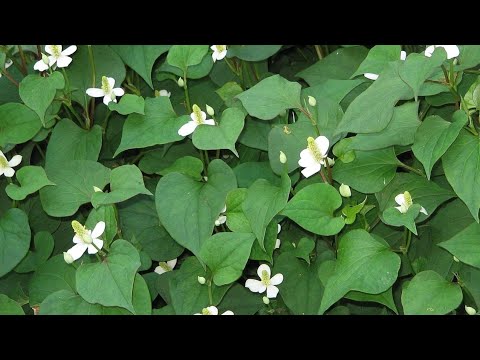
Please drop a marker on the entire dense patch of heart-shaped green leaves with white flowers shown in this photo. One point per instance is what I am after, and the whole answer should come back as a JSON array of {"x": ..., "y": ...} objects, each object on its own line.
[{"x": 239, "y": 179}]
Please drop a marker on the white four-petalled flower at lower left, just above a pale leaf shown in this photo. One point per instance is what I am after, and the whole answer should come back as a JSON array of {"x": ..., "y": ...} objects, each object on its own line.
[{"x": 86, "y": 239}]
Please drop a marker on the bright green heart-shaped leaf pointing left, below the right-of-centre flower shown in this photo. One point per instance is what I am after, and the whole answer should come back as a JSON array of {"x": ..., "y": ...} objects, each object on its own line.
[{"x": 313, "y": 209}]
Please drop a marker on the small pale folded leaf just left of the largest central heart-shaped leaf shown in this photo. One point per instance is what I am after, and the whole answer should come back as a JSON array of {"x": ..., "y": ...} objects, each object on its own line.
[{"x": 125, "y": 182}]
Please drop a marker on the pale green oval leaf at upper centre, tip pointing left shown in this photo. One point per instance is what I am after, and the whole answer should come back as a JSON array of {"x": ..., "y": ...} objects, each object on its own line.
[{"x": 270, "y": 97}]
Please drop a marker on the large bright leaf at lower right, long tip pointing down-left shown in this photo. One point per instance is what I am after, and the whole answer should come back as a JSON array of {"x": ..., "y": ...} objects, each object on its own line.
[{"x": 364, "y": 264}]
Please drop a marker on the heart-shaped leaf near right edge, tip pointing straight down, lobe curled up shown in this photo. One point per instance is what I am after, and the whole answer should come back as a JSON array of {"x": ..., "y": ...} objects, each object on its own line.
[{"x": 435, "y": 136}]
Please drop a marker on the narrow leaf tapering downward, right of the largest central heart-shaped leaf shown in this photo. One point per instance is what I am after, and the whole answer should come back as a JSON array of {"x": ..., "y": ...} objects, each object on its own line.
[{"x": 262, "y": 202}]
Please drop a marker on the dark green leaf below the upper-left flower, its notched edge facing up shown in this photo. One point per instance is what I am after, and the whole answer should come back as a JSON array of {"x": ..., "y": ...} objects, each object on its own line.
[{"x": 69, "y": 142}]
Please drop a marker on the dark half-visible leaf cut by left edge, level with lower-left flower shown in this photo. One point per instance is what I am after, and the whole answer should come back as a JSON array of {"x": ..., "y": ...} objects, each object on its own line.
[{"x": 14, "y": 239}]
